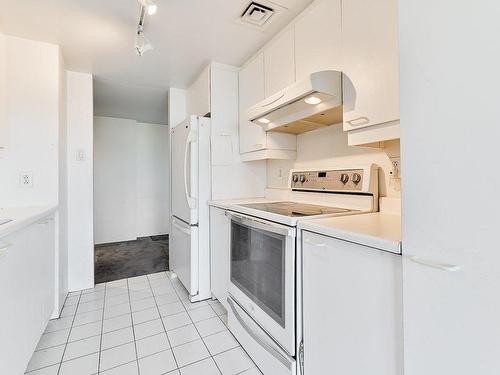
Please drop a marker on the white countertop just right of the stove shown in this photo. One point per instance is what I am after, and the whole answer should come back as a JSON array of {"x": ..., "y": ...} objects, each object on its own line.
[{"x": 378, "y": 230}]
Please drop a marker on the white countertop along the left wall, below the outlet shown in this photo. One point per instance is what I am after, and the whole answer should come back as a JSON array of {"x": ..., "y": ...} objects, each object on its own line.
[{"x": 22, "y": 217}]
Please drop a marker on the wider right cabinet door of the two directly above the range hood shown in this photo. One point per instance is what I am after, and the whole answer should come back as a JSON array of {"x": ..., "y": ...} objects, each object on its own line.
[{"x": 318, "y": 39}]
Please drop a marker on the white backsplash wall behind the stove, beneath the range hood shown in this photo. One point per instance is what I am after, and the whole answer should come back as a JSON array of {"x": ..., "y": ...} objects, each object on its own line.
[{"x": 328, "y": 147}]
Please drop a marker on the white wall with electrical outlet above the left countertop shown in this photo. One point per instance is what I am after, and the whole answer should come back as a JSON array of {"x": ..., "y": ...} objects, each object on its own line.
[{"x": 30, "y": 122}]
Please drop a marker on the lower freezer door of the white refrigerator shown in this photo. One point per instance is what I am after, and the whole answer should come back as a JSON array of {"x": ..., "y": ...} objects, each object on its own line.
[{"x": 184, "y": 254}]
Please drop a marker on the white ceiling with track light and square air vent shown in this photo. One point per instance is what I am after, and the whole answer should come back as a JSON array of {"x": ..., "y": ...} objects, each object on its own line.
[{"x": 97, "y": 36}]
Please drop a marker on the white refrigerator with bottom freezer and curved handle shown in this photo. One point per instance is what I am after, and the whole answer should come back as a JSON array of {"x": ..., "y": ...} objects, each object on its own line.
[{"x": 191, "y": 191}]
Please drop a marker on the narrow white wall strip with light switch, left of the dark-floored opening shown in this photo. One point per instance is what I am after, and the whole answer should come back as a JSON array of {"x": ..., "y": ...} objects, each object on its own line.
[{"x": 80, "y": 181}]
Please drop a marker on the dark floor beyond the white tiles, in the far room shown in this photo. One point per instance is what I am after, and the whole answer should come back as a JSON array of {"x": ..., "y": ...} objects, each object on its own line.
[{"x": 121, "y": 260}]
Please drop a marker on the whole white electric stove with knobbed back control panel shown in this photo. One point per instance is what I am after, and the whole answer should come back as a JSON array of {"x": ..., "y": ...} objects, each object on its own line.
[{"x": 262, "y": 295}]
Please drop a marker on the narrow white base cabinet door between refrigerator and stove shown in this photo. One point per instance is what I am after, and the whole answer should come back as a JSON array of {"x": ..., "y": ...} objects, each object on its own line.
[{"x": 219, "y": 245}]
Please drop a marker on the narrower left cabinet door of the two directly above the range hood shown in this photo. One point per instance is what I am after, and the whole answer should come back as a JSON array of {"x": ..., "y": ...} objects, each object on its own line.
[{"x": 279, "y": 62}]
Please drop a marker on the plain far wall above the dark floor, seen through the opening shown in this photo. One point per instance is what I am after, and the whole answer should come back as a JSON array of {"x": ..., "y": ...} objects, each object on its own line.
[{"x": 130, "y": 179}]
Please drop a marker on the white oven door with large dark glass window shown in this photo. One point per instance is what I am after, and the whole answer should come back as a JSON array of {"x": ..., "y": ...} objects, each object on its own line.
[{"x": 262, "y": 275}]
